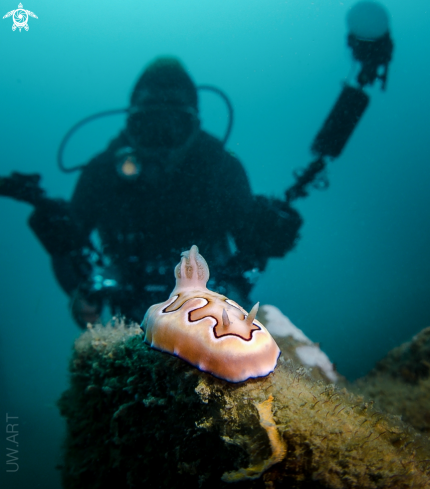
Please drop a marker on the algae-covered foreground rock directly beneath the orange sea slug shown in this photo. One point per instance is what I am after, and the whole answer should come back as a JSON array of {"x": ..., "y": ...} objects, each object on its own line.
[{"x": 139, "y": 418}]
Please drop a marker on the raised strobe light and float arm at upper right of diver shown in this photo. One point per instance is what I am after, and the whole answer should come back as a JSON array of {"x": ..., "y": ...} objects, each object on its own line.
[{"x": 372, "y": 47}]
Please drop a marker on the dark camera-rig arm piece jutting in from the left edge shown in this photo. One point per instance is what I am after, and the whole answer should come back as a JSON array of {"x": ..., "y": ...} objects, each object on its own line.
[{"x": 24, "y": 188}]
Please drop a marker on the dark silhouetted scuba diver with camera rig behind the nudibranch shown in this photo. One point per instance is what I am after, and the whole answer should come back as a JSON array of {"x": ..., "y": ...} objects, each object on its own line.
[{"x": 164, "y": 184}]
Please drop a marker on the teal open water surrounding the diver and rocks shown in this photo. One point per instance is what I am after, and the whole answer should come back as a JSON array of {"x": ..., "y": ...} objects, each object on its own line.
[{"x": 358, "y": 280}]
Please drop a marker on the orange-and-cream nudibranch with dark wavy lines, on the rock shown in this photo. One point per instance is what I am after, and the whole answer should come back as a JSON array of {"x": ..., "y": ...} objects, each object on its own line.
[{"x": 206, "y": 329}]
